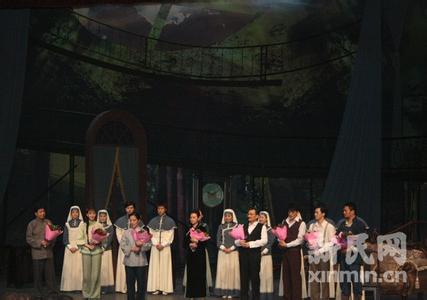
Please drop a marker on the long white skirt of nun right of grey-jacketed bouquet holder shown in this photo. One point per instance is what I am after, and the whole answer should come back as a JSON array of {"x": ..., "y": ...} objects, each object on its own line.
[{"x": 160, "y": 271}]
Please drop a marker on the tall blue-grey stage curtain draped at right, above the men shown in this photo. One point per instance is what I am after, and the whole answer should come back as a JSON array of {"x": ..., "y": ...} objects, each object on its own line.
[{"x": 355, "y": 171}]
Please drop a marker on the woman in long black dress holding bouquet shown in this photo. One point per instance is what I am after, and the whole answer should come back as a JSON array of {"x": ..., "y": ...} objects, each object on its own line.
[{"x": 196, "y": 261}]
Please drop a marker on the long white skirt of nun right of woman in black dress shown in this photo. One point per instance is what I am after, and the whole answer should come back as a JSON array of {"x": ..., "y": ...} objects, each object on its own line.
[{"x": 227, "y": 281}]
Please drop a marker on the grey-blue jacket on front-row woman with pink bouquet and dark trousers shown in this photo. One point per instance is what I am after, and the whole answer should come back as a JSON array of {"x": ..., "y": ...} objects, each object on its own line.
[{"x": 133, "y": 259}]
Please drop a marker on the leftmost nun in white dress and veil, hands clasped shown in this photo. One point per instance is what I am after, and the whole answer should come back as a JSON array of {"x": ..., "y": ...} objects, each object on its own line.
[{"x": 74, "y": 239}]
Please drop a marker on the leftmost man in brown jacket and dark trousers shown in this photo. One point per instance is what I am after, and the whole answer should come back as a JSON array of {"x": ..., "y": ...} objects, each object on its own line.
[{"x": 41, "y": 252}]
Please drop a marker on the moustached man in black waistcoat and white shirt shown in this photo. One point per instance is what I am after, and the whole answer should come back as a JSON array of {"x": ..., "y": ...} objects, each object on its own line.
[{"x": 250, "y": 255}]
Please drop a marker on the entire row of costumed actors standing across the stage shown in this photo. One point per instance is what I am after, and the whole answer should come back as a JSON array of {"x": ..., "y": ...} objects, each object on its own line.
[{"x": 241, "y": 263}]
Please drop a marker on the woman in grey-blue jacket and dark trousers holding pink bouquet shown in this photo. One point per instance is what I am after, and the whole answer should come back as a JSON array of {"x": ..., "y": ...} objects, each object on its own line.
[{"x": 135, "y": 260}]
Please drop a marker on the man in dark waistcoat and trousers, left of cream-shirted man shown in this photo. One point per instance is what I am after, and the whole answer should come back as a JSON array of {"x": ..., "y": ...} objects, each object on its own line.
[{"x": 291, "y": 267}]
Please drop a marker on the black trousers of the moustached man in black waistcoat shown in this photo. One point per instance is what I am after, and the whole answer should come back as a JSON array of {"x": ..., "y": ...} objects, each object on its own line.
[{"x": 250, "y": 264}]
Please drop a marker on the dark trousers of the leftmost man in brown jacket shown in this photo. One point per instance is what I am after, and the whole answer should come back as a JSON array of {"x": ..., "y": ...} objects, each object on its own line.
[{"x": 44, "y": 267}]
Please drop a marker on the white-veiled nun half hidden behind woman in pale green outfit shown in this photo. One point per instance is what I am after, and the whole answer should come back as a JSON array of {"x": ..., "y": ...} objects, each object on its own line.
[{"x": 107, "y": 271}]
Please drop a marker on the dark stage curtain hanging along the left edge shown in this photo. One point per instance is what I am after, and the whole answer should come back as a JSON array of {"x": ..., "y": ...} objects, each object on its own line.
[{"x": 13, "y": 53}]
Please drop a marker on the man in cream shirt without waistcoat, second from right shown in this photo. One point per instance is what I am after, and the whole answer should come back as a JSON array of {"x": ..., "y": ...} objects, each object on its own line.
[{"x": 320, "y": 253}]
